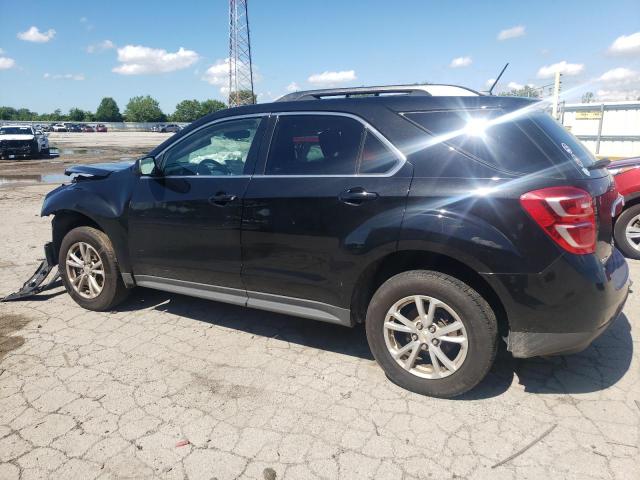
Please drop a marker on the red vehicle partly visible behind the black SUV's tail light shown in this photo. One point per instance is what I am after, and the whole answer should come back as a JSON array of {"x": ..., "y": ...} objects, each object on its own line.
[{"x": 627, "y": 228}]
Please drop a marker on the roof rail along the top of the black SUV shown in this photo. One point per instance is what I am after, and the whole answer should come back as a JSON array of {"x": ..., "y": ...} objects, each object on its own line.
[{"x": 429, "y": 90}]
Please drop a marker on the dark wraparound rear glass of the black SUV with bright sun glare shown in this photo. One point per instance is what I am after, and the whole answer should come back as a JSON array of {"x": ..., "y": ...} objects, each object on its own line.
[{"x": 513, "y": 142}]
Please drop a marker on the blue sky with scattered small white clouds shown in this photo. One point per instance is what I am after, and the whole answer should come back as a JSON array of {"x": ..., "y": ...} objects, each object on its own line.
[{"x": 72, "y": 53}]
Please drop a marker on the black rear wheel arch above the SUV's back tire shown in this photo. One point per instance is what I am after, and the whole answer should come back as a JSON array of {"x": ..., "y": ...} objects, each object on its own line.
[{"x": 404, "y": 260}]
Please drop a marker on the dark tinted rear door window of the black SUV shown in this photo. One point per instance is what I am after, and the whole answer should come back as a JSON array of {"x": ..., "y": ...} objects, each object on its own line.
[{"x": 315, "y": 145}]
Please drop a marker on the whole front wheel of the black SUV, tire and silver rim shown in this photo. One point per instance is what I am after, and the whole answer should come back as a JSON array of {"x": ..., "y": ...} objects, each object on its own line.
[{"x": 89, "y": 269}]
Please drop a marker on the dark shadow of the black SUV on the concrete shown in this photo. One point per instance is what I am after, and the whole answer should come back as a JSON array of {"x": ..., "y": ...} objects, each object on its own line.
[{"x": 598, "y": 367}]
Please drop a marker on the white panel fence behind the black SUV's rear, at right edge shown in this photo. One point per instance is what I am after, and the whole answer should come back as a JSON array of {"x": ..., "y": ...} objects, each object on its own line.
[{"x": 609, "y": 129}]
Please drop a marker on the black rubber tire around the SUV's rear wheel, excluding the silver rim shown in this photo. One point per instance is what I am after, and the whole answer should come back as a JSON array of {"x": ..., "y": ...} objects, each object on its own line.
[{"x": 477, "y": 317}]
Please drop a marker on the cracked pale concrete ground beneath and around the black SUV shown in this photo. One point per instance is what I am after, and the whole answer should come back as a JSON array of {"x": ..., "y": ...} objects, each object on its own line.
[{"x": 168, "y": 386}]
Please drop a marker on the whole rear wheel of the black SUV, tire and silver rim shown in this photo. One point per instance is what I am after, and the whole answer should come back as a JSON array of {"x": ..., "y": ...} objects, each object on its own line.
[{"x": 431, "y": 333}]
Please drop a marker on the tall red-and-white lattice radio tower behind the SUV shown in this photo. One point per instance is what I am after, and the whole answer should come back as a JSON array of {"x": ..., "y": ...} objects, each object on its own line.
[{"x": 240, "y": 69}]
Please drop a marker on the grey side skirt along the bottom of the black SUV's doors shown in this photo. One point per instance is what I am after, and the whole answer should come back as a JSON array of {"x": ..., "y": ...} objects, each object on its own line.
[{"x": 262, "y": 301}]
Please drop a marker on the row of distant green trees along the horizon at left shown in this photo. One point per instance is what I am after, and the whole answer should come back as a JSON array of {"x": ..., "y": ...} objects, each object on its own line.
[{"x": 138, "y": 109}]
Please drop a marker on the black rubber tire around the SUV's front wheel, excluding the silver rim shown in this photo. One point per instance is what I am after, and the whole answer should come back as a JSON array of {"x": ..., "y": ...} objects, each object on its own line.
[{"x": 113, "y": 289}]
